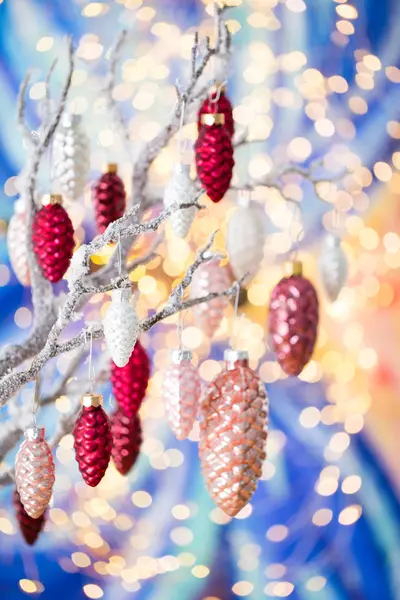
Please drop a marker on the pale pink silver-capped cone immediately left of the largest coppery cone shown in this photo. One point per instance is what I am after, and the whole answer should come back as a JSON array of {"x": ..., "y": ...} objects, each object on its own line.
[{"x": 181, "y": 390}]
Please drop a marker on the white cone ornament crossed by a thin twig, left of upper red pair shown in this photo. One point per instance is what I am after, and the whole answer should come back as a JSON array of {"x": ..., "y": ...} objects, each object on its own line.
[{"x": 180, "y": 190}]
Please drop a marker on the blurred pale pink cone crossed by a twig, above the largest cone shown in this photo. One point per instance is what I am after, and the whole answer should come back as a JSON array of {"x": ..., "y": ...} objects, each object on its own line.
[{"x": 210, "y": 277}]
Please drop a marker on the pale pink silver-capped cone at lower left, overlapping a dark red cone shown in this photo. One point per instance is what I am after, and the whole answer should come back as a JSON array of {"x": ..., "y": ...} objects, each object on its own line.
[{"x": 34, "y": 472}]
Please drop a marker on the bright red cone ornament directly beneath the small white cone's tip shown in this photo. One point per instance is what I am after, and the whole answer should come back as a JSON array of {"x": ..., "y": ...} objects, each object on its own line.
[{"x": 129, "y": 383}]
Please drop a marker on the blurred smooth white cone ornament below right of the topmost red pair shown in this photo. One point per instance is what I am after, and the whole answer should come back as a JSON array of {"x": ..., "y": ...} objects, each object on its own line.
[{"x": 245, "y": 238}]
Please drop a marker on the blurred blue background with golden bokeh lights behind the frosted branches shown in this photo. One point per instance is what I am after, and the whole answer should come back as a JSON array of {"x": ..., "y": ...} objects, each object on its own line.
[{"x": 314, "y": 79}]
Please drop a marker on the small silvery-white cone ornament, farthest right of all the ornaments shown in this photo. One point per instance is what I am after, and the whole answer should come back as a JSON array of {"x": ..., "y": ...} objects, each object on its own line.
[{"x": 333, "y": 266}]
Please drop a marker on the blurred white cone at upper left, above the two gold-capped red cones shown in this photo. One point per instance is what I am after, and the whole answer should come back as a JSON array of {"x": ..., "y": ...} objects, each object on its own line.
[{"x": 71, "y": 156}]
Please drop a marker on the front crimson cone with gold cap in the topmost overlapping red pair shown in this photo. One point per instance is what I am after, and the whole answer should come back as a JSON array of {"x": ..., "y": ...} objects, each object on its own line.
[{"x": 214, "y": 156}]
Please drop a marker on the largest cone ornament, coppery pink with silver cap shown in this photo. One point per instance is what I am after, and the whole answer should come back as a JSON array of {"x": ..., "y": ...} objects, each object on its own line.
[{"x": 233, "y": 433}]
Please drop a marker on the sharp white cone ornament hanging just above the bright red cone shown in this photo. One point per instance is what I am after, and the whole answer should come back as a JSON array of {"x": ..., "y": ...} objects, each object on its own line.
[{"x": 121, "y": 327}]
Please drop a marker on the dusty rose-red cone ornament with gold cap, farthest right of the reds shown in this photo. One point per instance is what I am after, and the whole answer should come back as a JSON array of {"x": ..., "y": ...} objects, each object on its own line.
[{"x": 293, "y": 321}]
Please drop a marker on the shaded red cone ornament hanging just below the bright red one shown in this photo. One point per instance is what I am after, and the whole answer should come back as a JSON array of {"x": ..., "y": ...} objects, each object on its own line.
[{"x": 127, "y": 439}]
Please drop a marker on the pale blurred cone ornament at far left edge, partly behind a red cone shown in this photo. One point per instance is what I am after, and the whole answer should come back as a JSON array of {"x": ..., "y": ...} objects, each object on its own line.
[{"x": 17, "y": 243}]
